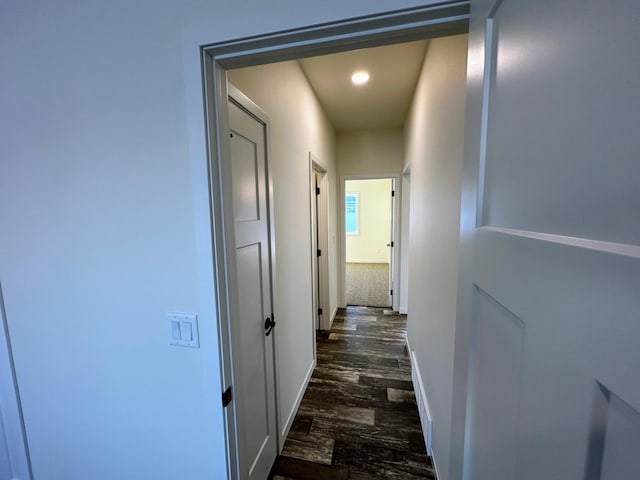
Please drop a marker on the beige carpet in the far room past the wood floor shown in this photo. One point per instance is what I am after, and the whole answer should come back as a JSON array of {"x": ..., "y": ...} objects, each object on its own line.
[{"x": 368, "y": 284}]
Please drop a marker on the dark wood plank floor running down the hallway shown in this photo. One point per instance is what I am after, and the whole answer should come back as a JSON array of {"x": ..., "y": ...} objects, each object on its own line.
[{"x": 358, "y": 418}]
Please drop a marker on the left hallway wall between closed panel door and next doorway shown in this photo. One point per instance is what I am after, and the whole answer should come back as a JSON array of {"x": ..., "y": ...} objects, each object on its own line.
[{"x": 298, "y": 126}]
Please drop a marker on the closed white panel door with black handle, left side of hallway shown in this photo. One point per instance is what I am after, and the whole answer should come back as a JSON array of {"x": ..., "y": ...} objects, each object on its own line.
[{"x": 253, "y": 347}]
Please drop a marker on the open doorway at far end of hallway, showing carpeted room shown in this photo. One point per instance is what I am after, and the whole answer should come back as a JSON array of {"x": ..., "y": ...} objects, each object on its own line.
[{"x": 368, "y": 227}]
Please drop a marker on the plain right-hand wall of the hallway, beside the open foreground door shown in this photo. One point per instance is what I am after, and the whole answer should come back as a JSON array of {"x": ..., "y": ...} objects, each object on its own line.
[{"x": 434, "y": 147}]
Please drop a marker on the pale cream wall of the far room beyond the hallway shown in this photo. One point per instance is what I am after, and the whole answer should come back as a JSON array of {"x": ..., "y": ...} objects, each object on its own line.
[{"x": 369, "y": 245}]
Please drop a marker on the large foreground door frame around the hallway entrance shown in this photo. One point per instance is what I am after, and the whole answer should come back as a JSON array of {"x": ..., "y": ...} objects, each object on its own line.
[{"x": 419, "y": 23}]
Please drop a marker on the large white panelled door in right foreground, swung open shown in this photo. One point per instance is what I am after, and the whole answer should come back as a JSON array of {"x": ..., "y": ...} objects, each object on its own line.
[{"x": 549, "y": 308}]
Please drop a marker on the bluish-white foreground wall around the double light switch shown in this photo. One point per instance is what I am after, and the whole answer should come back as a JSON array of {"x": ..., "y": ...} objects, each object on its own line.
[{"x": 105, "y": 227}]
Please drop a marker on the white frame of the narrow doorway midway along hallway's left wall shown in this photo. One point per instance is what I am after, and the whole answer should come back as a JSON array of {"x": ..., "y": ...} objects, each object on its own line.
[{"x": 320, "y": 268}]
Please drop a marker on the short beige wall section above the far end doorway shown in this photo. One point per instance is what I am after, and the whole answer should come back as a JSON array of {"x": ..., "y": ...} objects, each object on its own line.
[{"x": 371, "y": 152}]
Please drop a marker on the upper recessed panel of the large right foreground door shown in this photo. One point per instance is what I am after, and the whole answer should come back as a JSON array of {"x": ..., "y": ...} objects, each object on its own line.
[{"x": 559, "y": 94}]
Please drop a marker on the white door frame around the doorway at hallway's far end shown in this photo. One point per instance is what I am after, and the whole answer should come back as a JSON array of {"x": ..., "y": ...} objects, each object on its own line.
[{"x": 395, "y": 228}]
